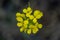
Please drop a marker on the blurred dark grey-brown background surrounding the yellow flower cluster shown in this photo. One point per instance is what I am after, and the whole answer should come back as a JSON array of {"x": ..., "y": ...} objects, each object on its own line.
[{"x": 50, "y": 20}]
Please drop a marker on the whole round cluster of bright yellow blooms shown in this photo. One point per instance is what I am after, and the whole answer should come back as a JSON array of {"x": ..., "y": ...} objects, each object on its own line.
[{"x": 27, "y": 21}]
